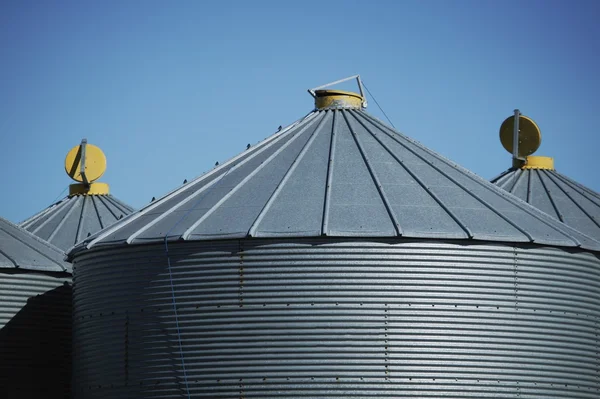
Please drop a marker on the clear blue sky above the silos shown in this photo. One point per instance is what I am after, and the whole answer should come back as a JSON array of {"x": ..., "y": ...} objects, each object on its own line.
[{"x": 166, "y": 89}]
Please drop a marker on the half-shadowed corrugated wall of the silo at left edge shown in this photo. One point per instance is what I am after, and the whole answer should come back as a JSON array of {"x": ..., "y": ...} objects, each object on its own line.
[{"x": 35, "y": 334}]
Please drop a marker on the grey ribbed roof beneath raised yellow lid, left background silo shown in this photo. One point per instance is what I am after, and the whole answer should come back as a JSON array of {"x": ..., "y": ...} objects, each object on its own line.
[{"x": 74, "y": 218}]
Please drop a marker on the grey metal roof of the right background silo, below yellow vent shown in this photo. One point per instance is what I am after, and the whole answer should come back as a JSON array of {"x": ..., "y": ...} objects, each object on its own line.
[{"x": 557, "y": 195}]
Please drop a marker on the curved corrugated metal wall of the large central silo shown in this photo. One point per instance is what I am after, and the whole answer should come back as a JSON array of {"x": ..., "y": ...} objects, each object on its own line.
[{"x": 354, "y": 318}]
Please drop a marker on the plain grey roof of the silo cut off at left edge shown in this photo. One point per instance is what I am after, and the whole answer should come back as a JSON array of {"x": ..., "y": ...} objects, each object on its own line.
[{"x": 20, "y": 249}]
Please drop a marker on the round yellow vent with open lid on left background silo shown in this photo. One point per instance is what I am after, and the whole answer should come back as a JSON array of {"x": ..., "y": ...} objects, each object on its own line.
[{"x": 86, "y": 163}]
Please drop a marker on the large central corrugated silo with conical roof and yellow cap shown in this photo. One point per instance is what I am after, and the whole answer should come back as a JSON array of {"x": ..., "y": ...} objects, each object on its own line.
[{"x": 337, "y": 258}]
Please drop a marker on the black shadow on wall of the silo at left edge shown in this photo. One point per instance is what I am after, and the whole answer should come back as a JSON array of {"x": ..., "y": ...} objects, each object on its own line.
[{"x": 35, "y": 348}]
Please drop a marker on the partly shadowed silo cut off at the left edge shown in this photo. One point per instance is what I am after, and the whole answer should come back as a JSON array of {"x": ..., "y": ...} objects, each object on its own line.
[{"x": 35, "y": 317}]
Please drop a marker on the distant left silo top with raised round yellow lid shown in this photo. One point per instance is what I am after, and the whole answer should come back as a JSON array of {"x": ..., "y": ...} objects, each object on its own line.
[{"x": 87, "y": 209}]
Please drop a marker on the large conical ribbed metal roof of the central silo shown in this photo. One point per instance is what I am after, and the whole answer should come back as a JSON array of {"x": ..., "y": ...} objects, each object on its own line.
[{"x": 339, "y": 172}]
